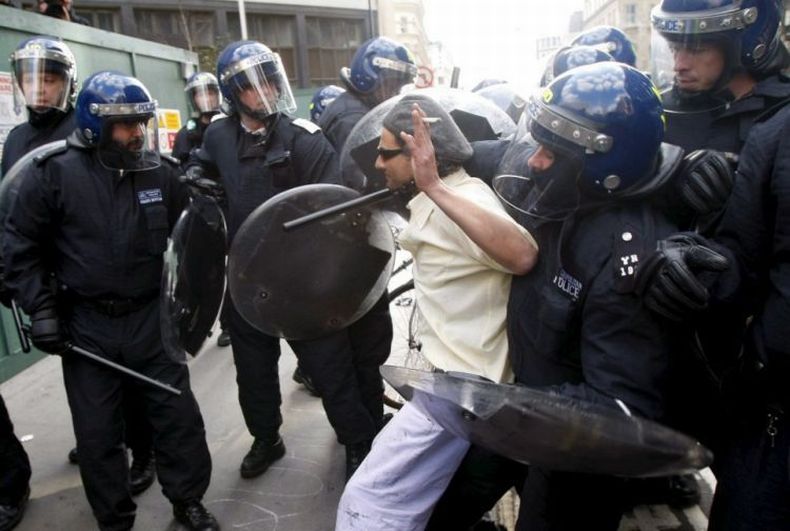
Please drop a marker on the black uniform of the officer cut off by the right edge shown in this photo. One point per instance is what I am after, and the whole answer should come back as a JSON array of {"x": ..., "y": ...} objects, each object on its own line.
[{"x": 752, "y": 465}]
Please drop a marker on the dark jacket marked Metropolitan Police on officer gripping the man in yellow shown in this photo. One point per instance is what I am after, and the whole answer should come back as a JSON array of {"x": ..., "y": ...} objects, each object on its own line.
[{"x": 575, "y": 323}]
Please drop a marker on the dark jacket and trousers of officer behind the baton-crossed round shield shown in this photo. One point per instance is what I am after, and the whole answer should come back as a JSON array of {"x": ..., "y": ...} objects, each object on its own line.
[{"x": 254, "y": 168}]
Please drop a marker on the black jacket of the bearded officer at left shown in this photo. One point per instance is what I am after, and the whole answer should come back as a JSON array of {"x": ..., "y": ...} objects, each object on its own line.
[{"x": 101, "y": 232}]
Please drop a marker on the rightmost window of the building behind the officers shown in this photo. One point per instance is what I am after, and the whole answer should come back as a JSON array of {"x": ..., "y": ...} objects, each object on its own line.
[{"x": 331, "y": 43}]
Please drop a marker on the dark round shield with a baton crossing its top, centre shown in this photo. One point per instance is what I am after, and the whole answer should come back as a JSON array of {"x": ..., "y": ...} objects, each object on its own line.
[{"x": 306, "y": 282}]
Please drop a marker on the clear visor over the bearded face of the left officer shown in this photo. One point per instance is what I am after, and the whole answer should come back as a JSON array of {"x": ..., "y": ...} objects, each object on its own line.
[{"x": 130, "y": 144}]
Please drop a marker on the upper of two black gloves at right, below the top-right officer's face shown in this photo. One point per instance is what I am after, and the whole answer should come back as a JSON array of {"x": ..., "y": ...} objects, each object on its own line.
[{"x": 706, "y": 180}]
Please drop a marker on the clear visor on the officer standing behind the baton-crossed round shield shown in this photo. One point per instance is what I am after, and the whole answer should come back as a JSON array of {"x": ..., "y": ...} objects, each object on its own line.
[{"x": 260, "y": 86}]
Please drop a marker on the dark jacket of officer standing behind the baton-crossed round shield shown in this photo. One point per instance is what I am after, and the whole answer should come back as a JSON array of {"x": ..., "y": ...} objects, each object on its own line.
[{"x": 253, "y": 168}]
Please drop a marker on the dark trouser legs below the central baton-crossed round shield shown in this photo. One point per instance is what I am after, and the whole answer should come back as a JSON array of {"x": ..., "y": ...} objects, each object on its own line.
[{"x": 347, "y": 378}]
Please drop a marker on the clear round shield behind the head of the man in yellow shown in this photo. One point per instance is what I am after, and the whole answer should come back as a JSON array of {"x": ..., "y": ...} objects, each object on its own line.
[{"x": 477, "y": 117}]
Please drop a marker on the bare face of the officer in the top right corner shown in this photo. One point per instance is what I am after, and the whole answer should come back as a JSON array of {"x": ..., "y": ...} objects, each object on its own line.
[{"x": 697, "y": 67}]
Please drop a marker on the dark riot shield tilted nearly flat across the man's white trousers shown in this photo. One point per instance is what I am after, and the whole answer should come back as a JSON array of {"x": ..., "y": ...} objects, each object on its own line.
[{"x": 546, "y": 429}]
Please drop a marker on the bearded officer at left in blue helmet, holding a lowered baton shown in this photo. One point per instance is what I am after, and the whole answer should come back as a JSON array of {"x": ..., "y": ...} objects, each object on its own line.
[{"x": 96, "y": 216}]
